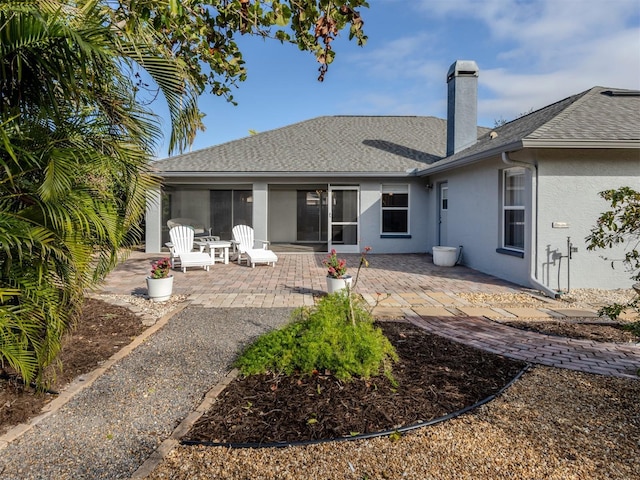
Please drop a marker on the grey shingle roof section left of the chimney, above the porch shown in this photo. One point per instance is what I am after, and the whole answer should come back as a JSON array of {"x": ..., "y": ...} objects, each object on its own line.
[{"x": 330, "y": 144}]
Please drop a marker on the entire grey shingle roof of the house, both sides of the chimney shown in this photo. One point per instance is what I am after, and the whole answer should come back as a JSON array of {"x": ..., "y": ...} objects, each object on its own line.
[{"x": 333, "y": 145}]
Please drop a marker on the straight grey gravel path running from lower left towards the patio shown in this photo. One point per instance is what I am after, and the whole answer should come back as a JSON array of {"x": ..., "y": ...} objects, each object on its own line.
[{"x": 109, "y": 429}]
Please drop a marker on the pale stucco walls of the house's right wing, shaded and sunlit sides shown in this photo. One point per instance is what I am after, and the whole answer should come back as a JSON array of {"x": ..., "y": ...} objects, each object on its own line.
[{"x": 565, "y": 189}]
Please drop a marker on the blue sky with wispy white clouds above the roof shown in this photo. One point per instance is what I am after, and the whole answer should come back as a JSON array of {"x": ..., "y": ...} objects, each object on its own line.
[{"x": 530, "y": 53}]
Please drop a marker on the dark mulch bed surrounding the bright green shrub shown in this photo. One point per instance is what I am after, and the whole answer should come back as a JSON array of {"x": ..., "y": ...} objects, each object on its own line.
[{"x": 434, "y": 376}]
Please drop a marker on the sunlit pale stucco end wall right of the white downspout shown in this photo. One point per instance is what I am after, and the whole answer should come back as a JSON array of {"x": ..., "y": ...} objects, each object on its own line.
[{"x": 568, "y": 193}]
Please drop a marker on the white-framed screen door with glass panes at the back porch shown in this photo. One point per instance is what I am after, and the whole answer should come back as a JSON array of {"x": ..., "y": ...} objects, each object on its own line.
[{"x": 344, "y": 209}]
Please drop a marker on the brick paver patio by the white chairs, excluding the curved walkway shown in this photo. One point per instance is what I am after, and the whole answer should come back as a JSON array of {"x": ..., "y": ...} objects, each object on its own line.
[{"x": 406, "y": 278}]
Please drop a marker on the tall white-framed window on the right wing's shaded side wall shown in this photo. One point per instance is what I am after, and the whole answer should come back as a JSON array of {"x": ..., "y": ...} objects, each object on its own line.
[{"x": 513, "y": 208}]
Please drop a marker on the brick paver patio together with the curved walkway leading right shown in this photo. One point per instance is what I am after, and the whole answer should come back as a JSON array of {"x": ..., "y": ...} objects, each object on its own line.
[{"x": 407, "y": 286}]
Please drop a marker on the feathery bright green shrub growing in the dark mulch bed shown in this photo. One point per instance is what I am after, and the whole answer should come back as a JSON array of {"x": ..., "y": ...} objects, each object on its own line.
[{"x": 321, "y": 339}]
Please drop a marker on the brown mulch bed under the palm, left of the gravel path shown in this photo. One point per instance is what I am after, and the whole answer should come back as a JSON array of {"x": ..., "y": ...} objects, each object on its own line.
[{"x": 101, "y": 331}]
